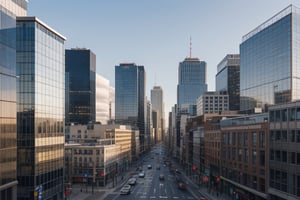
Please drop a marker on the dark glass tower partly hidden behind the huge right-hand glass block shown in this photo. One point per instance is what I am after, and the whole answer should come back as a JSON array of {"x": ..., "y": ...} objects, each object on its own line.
[{"x": 228, "y": 79}]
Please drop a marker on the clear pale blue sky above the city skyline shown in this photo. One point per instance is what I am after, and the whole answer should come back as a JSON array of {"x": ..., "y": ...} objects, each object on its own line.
[{"x": 156, "y": 33}]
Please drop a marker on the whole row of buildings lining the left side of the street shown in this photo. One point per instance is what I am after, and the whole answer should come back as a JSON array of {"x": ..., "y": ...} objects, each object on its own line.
[{"x": 60, "y": 121}]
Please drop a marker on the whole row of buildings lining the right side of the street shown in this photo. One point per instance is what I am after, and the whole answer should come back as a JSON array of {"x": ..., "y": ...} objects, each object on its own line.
[{"x": 243, "y": 138}]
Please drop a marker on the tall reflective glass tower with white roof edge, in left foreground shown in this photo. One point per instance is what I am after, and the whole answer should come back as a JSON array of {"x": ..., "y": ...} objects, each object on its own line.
[{"x": 40, "y": 110}]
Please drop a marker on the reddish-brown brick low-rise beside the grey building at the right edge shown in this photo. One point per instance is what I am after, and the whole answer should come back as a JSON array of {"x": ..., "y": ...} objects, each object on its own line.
[{"x": 244, "y": 159}]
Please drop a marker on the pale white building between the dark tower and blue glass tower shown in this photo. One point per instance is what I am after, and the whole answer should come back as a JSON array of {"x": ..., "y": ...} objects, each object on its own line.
[{"x": 103, "y": 99}]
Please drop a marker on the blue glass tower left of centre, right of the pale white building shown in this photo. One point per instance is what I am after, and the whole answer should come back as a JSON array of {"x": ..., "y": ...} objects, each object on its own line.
[{"x": 130, "y": 97}]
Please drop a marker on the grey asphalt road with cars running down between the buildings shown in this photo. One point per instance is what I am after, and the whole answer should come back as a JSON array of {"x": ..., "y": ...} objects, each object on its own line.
[{"x": 150, "y": 187}]
